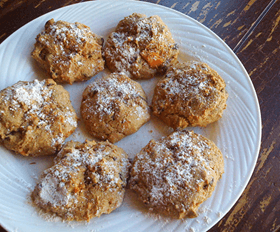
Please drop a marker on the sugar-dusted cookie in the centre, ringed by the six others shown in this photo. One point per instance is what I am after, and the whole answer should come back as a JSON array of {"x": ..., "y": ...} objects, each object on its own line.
[{"x": 113, "y": 107}]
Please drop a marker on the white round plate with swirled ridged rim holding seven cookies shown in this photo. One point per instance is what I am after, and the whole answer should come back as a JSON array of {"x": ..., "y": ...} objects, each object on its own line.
[{"x": 237, "y": 134}]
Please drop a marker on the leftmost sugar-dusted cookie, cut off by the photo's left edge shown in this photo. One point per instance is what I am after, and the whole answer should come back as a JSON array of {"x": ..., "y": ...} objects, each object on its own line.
[{"x": 35, "y": 117}]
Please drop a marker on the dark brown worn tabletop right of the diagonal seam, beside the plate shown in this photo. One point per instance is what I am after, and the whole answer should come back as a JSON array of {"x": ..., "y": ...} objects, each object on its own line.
[{"x": 258, "y": 209}]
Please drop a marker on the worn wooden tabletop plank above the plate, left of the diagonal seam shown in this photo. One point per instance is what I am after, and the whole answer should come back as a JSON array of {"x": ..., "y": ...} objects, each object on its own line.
[{"x": 229, "y": 19}]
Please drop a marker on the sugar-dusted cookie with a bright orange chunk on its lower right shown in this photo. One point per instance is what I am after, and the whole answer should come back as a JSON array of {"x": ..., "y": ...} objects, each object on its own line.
[{"x": 140, "y": 47}]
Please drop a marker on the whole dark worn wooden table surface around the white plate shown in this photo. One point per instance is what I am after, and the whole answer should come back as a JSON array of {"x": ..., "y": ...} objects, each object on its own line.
[{"x": 252, "y": 29}]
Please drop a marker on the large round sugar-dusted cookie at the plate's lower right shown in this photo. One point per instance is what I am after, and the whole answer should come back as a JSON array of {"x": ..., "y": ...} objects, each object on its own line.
[{"x": 174, "y": 175}]
